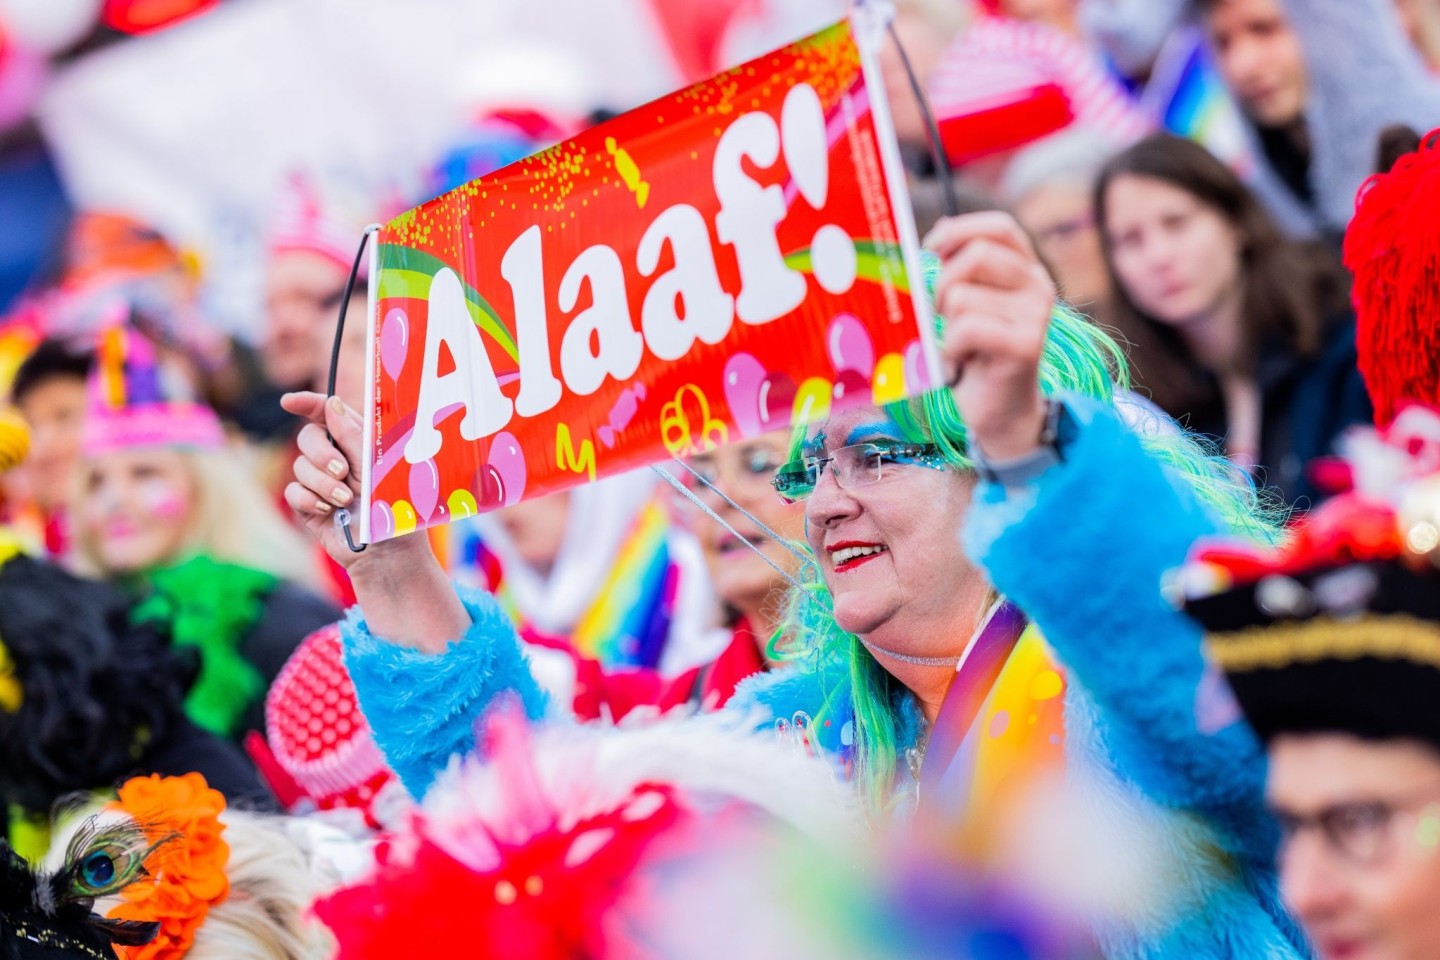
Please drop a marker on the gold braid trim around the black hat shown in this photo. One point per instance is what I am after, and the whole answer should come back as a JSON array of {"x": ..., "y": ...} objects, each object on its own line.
[{"x": 1396, "y": 638}]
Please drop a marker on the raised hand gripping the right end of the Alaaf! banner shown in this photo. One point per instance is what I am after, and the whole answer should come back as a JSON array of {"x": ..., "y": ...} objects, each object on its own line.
[{"x": 996, "y": 299}]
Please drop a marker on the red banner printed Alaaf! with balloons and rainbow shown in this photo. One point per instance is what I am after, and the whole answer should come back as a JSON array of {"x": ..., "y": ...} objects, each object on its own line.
[{"x": 721, "y": 263}]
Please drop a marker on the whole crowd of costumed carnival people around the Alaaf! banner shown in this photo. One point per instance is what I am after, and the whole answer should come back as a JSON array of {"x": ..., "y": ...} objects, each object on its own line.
[{"x": 1118, "y": 646}]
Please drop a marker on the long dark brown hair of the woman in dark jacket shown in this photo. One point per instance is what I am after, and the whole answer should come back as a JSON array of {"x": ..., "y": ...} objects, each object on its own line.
[{"x": 1291, "y": 290}]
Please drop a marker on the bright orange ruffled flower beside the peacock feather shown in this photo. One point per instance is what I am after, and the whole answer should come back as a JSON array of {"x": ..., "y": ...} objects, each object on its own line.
[{"x": 188, "y": 874}]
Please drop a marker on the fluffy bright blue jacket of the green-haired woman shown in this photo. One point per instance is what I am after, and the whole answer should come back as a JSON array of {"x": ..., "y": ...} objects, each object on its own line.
[{"x": 1082, "y": 552}]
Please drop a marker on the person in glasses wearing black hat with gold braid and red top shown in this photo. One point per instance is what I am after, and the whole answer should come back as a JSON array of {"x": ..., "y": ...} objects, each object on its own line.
[{"x": 1333, "y": 651}]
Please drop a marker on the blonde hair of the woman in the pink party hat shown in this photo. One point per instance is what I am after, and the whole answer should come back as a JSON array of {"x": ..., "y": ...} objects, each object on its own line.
[{"x": 233, "y": 522}]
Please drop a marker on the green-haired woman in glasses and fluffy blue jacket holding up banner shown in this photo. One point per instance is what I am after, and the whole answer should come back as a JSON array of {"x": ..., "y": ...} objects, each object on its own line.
[{"x": 894, "y": 610}]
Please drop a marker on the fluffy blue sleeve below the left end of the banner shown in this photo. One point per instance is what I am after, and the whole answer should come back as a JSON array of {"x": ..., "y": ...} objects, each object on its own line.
[{"x": 423, "y": 707}]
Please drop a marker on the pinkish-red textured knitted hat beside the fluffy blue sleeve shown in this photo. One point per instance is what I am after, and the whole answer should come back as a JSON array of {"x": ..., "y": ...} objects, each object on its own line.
[{"x": 322, "y": 741}]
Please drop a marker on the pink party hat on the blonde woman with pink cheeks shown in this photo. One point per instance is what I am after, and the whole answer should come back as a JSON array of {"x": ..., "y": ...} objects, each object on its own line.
[{"x": 135, "y": 401}]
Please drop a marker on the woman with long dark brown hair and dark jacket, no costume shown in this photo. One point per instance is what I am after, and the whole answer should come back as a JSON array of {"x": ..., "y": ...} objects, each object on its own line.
[{"x": 1235, "y": 330}]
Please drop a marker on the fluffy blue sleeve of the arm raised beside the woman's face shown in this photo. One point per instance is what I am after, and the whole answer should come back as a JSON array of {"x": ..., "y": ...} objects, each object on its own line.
[{"x": 1084, "y": 551}]
